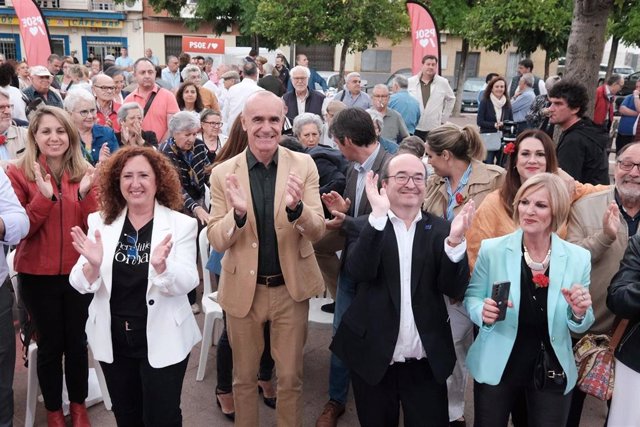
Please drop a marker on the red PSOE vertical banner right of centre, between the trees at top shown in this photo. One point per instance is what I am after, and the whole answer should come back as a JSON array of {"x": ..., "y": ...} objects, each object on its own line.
[{"x": 425, "y": 38}]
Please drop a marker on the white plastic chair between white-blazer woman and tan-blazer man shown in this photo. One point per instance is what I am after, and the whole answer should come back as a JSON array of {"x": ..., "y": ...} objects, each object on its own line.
[{"x": 213, "y": 323}]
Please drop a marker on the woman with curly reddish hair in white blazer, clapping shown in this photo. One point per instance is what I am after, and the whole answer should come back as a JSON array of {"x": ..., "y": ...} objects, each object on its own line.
[{"x": 138, "y": 259}]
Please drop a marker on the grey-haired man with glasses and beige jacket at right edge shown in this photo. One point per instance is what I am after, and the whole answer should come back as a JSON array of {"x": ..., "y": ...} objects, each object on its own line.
[{"x": 602, "y": 223}]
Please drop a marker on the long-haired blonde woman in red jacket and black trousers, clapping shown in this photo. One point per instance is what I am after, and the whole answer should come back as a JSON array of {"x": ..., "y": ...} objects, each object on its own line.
[{"x": 54, "y": 183}]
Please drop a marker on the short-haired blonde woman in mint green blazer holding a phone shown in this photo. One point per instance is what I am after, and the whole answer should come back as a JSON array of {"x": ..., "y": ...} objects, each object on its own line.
[{"x": 548, "y": 298}]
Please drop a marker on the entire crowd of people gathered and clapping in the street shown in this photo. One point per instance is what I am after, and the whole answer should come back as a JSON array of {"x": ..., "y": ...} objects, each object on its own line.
[{"x": 449, "y": 252}]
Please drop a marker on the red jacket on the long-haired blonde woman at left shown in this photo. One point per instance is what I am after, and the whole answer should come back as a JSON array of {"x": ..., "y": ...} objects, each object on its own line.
[{"x": 47, "y": 249}]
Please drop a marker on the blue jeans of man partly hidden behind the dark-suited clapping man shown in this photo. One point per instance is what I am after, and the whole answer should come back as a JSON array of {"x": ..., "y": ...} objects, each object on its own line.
[{"x": 339, "y": 374}]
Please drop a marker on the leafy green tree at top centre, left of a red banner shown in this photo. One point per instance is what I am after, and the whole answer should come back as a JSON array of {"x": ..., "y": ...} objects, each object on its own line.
[{"x": 355, "y": 24}]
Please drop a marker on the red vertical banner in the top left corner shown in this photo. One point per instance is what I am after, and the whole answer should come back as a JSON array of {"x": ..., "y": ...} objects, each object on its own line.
[{"x": 34, "y": 31}]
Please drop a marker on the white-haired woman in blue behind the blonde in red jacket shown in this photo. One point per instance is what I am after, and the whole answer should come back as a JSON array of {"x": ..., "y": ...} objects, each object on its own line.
[{"x": 97, "y": 142}]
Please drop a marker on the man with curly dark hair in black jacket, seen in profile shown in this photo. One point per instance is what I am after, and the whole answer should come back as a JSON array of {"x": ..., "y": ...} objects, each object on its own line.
[{"x": 582, "y": 148}]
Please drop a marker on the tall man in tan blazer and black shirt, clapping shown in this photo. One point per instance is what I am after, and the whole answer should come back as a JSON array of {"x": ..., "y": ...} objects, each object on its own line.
[{"x": 266, "y": 215}]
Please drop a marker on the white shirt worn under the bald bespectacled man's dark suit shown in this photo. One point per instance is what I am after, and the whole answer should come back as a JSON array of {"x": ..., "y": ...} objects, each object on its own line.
[{"x": 409, "y": 345}]
